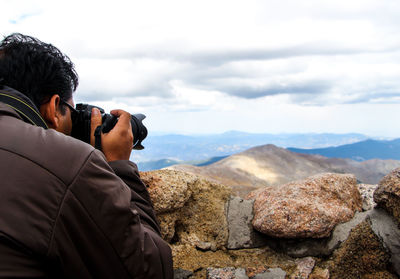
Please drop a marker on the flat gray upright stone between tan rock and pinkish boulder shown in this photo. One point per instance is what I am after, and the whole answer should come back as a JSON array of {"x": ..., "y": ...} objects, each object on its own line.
[{"x": 241, "y": 232}]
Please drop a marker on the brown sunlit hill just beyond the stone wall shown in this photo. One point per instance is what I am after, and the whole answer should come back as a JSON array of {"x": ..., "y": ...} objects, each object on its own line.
[{"x": 271, "y": 165}]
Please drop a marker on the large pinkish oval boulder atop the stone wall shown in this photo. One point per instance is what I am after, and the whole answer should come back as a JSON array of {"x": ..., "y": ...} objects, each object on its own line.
[{"x": 309, "y": 208}]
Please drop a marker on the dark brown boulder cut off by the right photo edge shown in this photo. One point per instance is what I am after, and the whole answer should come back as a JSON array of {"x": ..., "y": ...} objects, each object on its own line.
[{"x": 387, "y": 195}]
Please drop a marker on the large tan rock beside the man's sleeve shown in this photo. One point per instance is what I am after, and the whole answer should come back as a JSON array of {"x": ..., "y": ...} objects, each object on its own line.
[{"x": 191, "y": 210}]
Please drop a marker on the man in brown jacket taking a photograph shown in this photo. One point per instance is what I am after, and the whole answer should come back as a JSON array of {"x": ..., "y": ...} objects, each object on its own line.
[{"x": 67, "y": 210}]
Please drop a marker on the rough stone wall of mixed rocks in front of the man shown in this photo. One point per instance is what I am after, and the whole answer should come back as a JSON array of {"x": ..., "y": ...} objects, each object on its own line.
[{"x": 214, "y": 234}]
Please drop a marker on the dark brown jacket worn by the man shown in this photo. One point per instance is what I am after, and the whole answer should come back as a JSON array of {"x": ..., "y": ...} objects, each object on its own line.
[{"x": 67, "y": 213}]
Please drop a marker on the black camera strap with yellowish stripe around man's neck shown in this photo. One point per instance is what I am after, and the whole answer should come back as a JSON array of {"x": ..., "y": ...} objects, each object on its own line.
[{"x": 22, "y": 105}]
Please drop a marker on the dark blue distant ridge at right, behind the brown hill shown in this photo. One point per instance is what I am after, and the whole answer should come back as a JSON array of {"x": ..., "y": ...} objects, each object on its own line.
[{"x": 359, "y": 151}]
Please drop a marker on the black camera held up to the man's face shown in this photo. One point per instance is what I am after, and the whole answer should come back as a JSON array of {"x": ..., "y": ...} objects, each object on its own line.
[{"x": 81, "y": 124}]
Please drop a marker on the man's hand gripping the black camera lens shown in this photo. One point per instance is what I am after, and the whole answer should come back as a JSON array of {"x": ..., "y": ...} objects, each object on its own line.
[{"x": 116, "y": 144}]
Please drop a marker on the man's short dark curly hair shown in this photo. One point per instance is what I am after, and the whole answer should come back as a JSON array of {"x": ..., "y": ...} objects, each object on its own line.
[{"x": 36, "y": 69}]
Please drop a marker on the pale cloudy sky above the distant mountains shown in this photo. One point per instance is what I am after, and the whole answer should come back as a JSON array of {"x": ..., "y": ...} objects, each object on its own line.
[{"x": 272, "y": 66}]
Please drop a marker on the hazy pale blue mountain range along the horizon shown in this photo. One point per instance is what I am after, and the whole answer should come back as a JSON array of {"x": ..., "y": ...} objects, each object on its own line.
[{"x": 203, "y": 147}]
